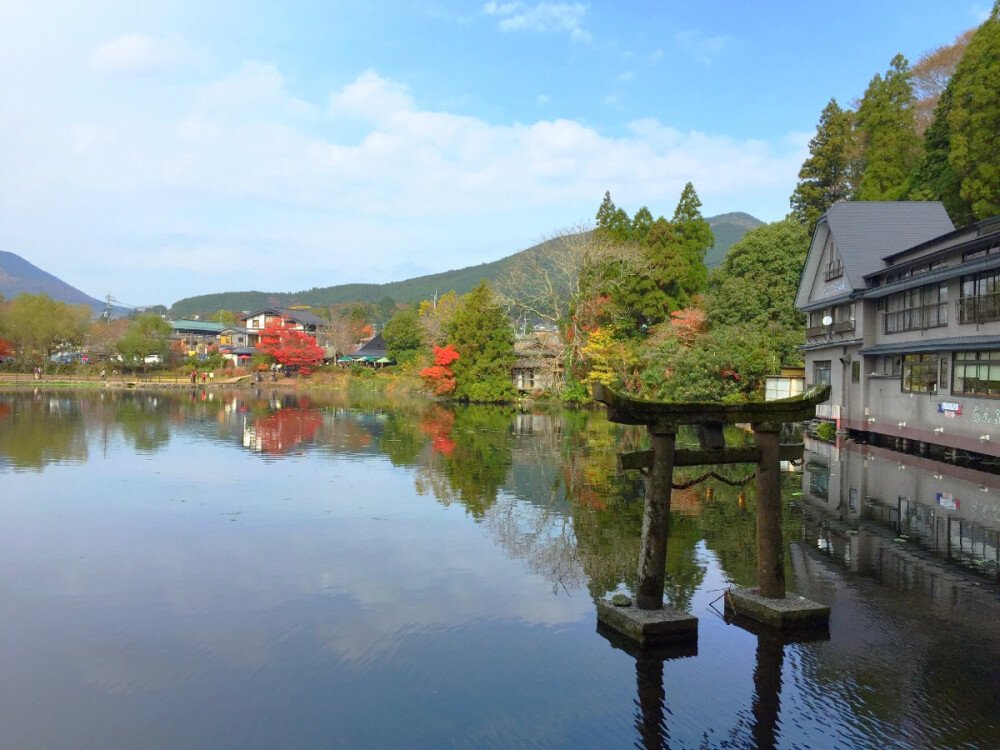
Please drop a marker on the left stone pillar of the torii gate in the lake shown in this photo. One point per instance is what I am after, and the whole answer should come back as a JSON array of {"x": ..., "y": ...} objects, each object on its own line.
[{"x": 656, "y": 519}]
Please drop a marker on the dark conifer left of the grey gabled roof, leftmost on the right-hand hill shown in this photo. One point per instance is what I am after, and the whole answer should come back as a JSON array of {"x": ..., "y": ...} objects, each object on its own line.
[{"x": 827, "y": 175}]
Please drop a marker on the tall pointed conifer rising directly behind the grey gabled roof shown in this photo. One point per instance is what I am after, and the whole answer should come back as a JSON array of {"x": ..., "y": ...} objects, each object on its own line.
[{"x": 887, "y": 124}]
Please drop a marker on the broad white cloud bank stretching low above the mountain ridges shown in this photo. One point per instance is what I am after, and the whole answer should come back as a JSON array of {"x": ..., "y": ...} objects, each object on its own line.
[{"x": 229, "y": 175}]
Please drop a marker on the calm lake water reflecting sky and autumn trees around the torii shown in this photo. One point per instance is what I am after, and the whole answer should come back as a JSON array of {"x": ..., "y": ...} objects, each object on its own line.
[{"x": 260, "y": 570}]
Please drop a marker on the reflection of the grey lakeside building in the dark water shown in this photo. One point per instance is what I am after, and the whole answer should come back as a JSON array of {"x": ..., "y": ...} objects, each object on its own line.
[{"x": 862, "y": 501}]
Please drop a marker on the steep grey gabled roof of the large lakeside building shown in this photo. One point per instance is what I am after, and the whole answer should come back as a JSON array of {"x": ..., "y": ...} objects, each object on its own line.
[{"x": 866, "y": 232}]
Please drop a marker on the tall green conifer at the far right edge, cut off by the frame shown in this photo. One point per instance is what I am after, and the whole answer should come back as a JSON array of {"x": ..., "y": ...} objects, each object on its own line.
[{"x": 974, "y": 120}]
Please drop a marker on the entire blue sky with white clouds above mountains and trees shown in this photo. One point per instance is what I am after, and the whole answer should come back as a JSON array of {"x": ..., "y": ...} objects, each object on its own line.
[{"x": 161, "y": 150}]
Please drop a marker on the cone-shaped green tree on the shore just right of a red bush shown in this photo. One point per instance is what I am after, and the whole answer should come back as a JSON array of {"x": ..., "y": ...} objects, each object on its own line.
[{"x": 482, "y": 335}]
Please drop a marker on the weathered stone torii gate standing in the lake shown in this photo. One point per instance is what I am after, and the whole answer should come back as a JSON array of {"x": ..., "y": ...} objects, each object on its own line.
[{"x": 649, "y": 622}]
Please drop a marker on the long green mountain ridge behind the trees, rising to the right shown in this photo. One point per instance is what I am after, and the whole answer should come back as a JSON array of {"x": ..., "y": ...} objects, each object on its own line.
[{"x": 727, "y": 229}]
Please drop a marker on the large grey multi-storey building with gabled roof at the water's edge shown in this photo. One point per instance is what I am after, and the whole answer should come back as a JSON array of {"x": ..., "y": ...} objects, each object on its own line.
[{"x": 904, "y": 323}]
